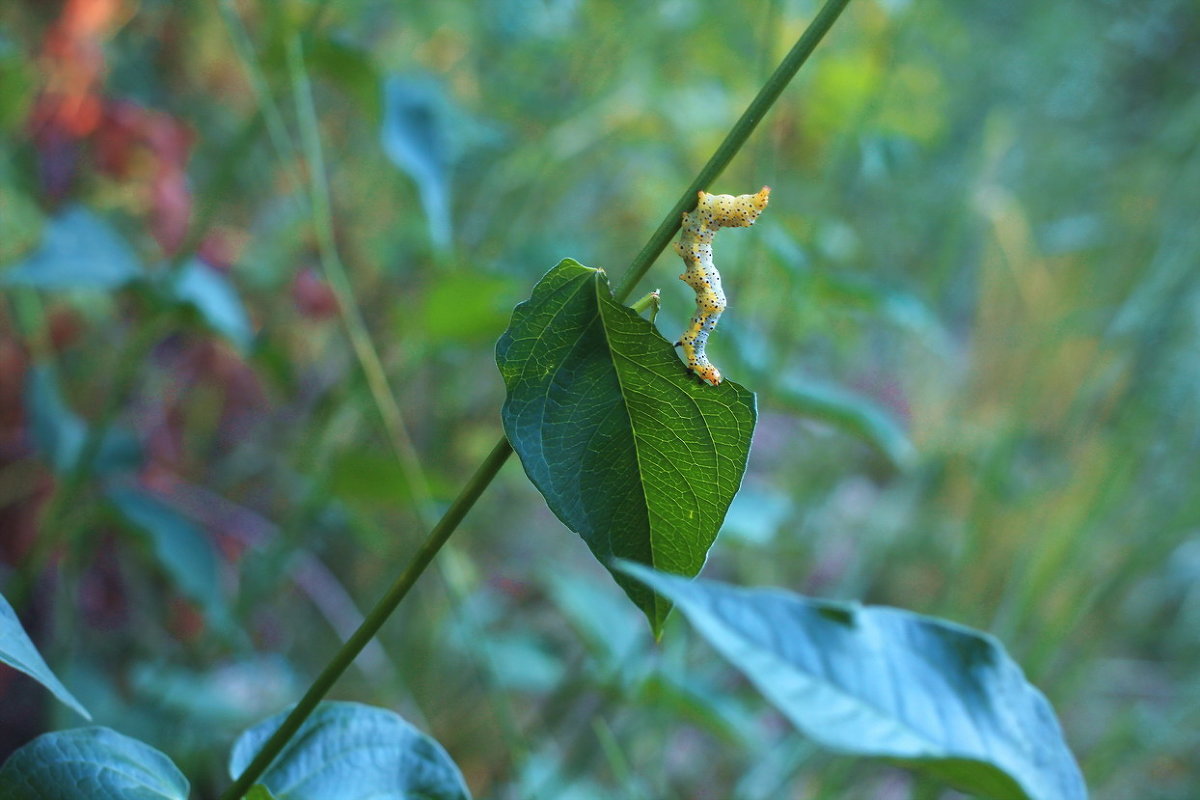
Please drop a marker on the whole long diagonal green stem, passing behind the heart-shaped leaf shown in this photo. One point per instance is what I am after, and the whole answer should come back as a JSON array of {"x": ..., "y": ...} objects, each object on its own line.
[{"x": 501, "y": 453}]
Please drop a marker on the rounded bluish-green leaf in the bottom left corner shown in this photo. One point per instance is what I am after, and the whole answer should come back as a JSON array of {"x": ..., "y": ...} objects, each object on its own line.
[{"x": 91, "y": 765}]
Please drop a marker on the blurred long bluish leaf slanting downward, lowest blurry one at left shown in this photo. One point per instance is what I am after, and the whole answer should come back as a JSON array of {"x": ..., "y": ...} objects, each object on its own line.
[{"x": 183, "y": 550}]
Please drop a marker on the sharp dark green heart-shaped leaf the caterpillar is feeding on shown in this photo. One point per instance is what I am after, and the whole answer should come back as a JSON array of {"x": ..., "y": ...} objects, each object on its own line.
[{"x": 631, "y": 450}]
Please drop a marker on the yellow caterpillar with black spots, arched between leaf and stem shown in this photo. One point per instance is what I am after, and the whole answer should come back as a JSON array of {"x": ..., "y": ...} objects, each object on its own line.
[{"x": 695, "y": 246}]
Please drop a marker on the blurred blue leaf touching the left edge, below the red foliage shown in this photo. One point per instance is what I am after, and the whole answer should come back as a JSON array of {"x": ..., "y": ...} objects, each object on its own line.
[{"x": 79, "y": 251}]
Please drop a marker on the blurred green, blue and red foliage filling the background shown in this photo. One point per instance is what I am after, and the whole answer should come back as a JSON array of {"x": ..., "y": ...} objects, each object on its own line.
[{"x": 971, "y": 316}]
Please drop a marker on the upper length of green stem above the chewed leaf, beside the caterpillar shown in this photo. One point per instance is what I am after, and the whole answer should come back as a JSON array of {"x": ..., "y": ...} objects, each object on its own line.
[{"x": 734, "y": 142}]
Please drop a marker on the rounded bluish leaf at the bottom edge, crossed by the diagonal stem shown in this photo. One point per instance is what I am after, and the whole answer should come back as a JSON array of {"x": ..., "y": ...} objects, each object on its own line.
[{"x": 350, "y": 751}]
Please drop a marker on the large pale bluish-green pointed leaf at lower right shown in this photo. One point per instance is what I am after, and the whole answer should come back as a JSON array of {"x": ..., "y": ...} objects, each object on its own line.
[{"x": 931, "y": 695}]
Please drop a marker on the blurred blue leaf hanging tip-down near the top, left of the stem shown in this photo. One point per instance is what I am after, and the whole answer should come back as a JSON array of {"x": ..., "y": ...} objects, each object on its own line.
[{"x": 416, "y": 136}]
